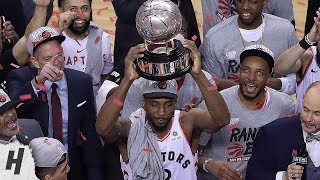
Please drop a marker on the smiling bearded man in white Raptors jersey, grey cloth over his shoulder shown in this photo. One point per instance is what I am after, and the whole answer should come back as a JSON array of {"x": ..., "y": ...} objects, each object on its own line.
[{"x": 86, "y": 48}]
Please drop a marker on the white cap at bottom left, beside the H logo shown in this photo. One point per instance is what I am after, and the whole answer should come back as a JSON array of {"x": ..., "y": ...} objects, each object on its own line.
[{"x": 47, "y": 151}]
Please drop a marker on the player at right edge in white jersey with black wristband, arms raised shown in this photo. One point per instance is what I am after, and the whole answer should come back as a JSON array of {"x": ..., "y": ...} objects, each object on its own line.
[{"x": 302, "y": 60}]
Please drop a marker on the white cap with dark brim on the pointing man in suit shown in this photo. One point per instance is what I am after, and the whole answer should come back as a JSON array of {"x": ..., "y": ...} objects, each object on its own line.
[{"x": 41, "y": 35}]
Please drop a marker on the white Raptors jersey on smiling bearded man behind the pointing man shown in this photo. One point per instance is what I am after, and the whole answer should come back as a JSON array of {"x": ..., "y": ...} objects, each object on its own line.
[{"x": 75, "y": 53}]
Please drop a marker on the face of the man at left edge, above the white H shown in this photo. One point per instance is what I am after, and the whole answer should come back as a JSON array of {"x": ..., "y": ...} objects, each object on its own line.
[{"x": 8, "y": 124}]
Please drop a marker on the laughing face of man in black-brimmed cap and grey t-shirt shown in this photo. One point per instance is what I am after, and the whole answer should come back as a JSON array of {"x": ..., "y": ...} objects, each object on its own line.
[{"x": 253, "y": 77}]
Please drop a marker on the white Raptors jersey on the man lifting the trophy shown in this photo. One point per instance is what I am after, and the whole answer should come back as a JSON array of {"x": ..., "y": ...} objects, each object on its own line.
[{"x": 178, "y": 160}]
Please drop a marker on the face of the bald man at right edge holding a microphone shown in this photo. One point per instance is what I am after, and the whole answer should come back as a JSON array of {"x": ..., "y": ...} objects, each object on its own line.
[{"x": 310, "y": 114}]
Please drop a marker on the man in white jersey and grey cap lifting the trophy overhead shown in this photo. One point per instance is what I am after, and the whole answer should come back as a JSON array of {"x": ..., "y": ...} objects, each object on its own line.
[{"x": 161, "y": 139}]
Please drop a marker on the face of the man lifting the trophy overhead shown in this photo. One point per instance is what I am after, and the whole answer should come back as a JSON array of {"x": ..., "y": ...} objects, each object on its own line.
[{"x": 159, "y": 112}]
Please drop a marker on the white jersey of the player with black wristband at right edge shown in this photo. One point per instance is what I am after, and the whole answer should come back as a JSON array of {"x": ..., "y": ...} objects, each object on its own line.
[{"x": 311, "y": 74}]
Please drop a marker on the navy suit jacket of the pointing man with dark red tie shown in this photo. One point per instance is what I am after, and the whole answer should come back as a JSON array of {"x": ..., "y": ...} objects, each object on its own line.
[{"x": 83, "y": 142}]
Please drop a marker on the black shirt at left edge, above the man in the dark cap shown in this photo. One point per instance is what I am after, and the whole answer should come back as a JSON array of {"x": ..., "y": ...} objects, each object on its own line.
[{"x": 7, "y": 63}]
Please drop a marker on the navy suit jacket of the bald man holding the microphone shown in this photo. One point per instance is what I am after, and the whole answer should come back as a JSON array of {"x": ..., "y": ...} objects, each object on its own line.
[{"x": 273, "y": 146}]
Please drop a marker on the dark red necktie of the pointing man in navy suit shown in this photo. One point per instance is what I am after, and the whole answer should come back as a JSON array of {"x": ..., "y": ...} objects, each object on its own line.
[{"x": 56, "y": 113}]
